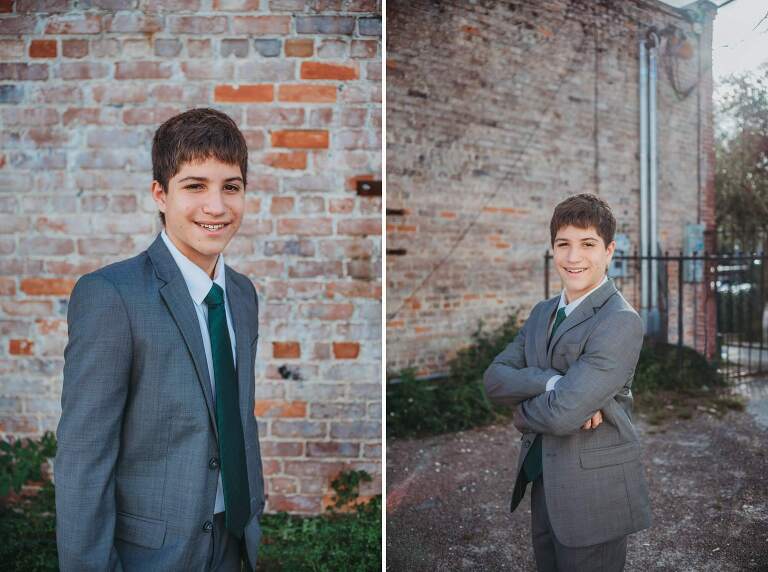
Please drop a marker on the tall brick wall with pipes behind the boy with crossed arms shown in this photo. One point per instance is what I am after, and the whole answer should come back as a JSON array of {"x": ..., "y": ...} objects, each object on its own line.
[{"x": 496, "y": 111}]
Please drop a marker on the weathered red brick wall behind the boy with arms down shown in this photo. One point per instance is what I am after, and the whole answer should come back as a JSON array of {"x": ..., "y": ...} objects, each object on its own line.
[{"x": 82, "y": 90}]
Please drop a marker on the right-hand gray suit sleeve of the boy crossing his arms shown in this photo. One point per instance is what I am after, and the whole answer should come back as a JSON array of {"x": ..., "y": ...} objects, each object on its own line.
[{"x": 607, "y": 364}]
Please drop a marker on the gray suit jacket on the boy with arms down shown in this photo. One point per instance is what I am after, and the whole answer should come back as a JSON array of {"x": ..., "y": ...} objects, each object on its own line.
[{"x": 137, "y": 463}]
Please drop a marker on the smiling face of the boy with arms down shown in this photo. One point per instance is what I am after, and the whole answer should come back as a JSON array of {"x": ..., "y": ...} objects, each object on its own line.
[{"x": 203, "y": 193}]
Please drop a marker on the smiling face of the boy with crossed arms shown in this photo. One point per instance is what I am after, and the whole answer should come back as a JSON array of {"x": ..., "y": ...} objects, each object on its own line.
[{"x": 581, "y": 258}]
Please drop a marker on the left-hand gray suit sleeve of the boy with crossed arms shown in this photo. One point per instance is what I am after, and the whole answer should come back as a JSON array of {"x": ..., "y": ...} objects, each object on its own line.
[{"x": 508, "y": 380}]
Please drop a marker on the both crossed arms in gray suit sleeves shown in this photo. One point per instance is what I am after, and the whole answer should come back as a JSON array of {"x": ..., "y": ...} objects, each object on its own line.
[{"x": 608, "y": 361}]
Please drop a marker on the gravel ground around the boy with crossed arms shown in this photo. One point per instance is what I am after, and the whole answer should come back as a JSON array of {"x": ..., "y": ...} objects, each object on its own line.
[{"x": 448, "y": 498}]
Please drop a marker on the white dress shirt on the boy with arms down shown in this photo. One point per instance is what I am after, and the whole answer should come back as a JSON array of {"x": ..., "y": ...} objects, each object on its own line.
[{"x": 199, "y": 284}]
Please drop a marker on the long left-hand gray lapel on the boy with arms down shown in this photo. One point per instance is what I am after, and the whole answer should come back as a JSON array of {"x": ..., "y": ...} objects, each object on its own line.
[{"x": 181, "y": 306}]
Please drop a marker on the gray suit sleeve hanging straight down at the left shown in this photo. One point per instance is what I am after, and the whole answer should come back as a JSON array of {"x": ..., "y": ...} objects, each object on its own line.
[{"x": 97, "y": 368}]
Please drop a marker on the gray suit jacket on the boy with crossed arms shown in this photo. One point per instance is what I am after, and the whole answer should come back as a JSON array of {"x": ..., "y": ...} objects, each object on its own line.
[{"x": 593, "y": 479}]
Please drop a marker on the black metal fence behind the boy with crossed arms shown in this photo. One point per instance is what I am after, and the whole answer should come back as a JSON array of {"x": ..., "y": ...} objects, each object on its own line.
[{"x": 716, "y": 304}]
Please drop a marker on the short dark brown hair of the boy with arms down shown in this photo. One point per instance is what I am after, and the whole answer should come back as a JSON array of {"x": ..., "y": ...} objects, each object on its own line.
[{"x": 196, "y": 135}]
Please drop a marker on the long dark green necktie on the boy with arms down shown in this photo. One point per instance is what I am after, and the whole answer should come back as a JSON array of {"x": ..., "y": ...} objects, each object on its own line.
[{"x": 234, "y": 474}]
